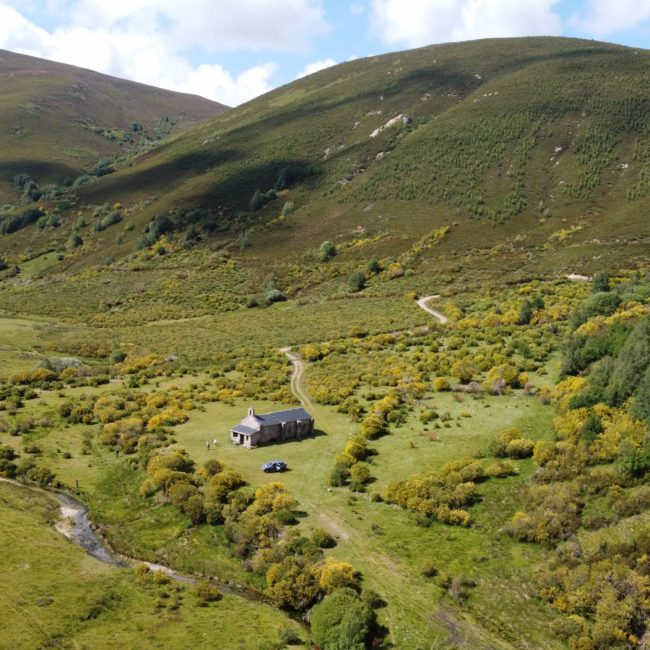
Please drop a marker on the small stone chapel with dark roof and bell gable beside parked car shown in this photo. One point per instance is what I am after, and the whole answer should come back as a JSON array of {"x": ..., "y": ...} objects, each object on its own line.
[{"x": 266, "y": 428}]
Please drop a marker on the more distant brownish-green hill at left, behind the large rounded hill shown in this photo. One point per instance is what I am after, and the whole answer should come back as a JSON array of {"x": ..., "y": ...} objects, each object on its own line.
[{"x": 59, "y": 119}]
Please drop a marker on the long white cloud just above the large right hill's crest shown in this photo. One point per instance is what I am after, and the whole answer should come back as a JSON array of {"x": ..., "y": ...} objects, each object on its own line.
[{"x": 413, "y": 23}]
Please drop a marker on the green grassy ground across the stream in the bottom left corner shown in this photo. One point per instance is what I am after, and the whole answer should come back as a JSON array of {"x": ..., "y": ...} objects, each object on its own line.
[{"x": 56, "y": 596}]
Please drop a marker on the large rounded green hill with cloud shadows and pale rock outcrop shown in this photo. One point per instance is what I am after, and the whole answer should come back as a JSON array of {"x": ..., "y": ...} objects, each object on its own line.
[{"x": 502, "y": 159}]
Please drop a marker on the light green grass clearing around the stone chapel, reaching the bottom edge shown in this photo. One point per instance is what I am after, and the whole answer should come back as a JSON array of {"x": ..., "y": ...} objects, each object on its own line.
[{"x": 384, "y": 542}]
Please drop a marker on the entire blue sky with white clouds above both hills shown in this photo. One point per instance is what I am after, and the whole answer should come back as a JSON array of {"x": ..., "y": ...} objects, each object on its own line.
[{"x": 234, "y": 50}]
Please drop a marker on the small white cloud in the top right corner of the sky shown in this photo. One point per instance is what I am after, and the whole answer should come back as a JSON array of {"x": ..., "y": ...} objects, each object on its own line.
[{"x": 603, "y": 17}]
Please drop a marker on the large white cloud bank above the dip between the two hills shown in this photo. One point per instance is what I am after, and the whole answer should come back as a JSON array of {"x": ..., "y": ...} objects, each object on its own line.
[{"x": 138, "y": 40}]
